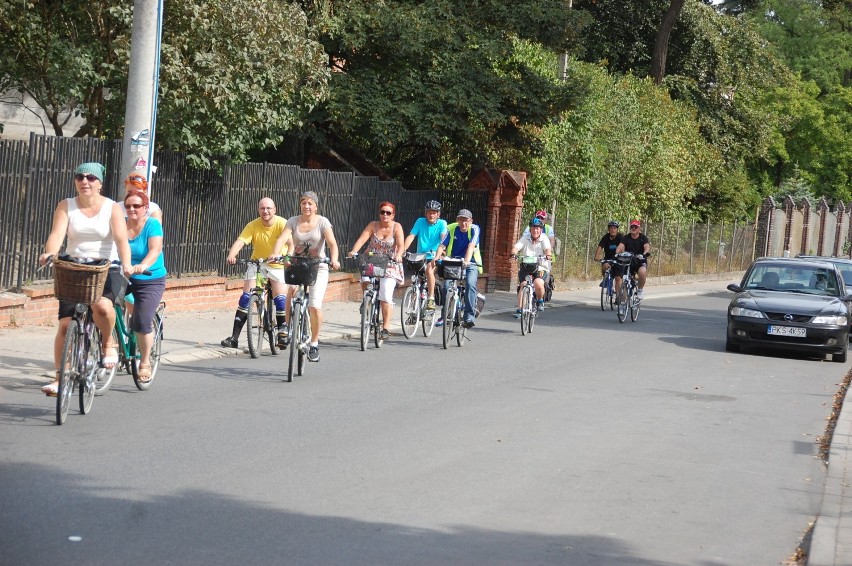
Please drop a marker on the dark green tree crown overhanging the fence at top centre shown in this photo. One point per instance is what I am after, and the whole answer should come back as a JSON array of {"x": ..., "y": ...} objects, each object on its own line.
[{"x": 433, "y": 90}]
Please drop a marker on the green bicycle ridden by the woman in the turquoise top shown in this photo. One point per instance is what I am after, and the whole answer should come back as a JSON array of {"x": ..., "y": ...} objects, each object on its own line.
[{"x": 127, "y": 347}]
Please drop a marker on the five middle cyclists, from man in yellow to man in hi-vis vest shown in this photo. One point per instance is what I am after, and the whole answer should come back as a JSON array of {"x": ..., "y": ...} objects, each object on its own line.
[{"x": 311, "y": 235}]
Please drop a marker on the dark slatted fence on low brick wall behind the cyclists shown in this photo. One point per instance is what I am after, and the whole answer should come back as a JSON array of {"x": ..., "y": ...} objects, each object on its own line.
[{"x": 203, "y": 210}]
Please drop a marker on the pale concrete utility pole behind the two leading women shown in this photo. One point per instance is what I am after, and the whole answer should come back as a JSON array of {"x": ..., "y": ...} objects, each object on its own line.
[{"x": 142, "y": 83}]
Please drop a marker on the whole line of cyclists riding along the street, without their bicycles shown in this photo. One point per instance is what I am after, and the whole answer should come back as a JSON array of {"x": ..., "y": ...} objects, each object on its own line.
[{"x": 130, "y": 233}]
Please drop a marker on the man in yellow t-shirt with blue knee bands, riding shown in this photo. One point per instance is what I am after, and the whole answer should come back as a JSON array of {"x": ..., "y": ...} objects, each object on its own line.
[{"x": 261, "y": 233}]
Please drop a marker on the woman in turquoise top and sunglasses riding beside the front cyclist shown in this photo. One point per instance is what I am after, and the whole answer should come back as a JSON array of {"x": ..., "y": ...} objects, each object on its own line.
[{"x": 145, "y": 235}]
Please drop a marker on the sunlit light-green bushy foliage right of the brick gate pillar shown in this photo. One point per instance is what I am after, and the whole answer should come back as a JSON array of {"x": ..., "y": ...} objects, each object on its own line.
[{"x": 627, "y": 148}]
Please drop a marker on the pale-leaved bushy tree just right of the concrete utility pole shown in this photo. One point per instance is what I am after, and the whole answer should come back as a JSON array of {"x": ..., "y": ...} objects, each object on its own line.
[{"x": 236, "y": 75}]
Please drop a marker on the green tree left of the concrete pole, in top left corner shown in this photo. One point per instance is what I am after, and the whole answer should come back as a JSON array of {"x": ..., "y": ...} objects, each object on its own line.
[{"x": 71, "y": 57}]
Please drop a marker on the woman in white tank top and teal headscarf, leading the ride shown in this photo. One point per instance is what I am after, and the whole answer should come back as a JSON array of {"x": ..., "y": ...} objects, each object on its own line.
[{"x": 96, "y": 229}]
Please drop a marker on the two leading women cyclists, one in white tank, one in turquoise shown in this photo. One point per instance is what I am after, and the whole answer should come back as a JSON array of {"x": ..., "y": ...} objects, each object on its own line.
[{"x": 129, "y": 233}]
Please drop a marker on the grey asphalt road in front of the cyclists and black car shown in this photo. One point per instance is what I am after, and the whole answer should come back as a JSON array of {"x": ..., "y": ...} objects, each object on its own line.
[{"x": 587, "y": 442}]
